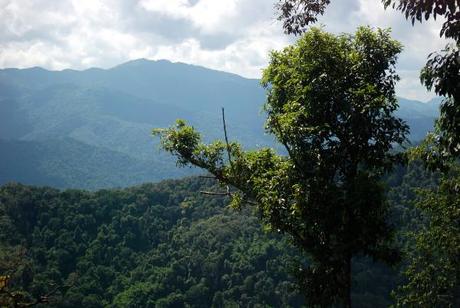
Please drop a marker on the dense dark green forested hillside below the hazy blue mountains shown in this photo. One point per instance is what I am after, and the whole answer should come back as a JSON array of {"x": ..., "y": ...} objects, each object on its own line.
[{"x": 168, "y": 245}]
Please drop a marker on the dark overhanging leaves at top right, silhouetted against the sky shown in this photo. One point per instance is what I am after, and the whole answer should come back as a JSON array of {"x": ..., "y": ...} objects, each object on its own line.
[{"x": 442, "y": 71}]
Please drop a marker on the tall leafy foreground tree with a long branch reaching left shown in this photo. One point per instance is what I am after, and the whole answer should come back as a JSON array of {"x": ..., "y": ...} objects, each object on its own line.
[{"x": 330, "y": 103}]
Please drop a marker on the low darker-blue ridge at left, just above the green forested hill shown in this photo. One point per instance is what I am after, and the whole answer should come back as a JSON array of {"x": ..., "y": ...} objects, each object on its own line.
[{"x": 68, "y": 163}]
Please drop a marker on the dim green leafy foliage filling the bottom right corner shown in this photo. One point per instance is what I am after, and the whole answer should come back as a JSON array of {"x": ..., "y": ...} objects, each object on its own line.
[{"x": 433, "y": 274}]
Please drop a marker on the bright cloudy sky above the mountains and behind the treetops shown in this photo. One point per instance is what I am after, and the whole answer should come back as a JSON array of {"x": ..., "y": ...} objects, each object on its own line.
[{"x": 229, "y": 35}]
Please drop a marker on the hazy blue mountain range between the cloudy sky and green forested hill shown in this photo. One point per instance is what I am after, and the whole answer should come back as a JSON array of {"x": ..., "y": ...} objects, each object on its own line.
[{"x": 51, "y": 121}]
